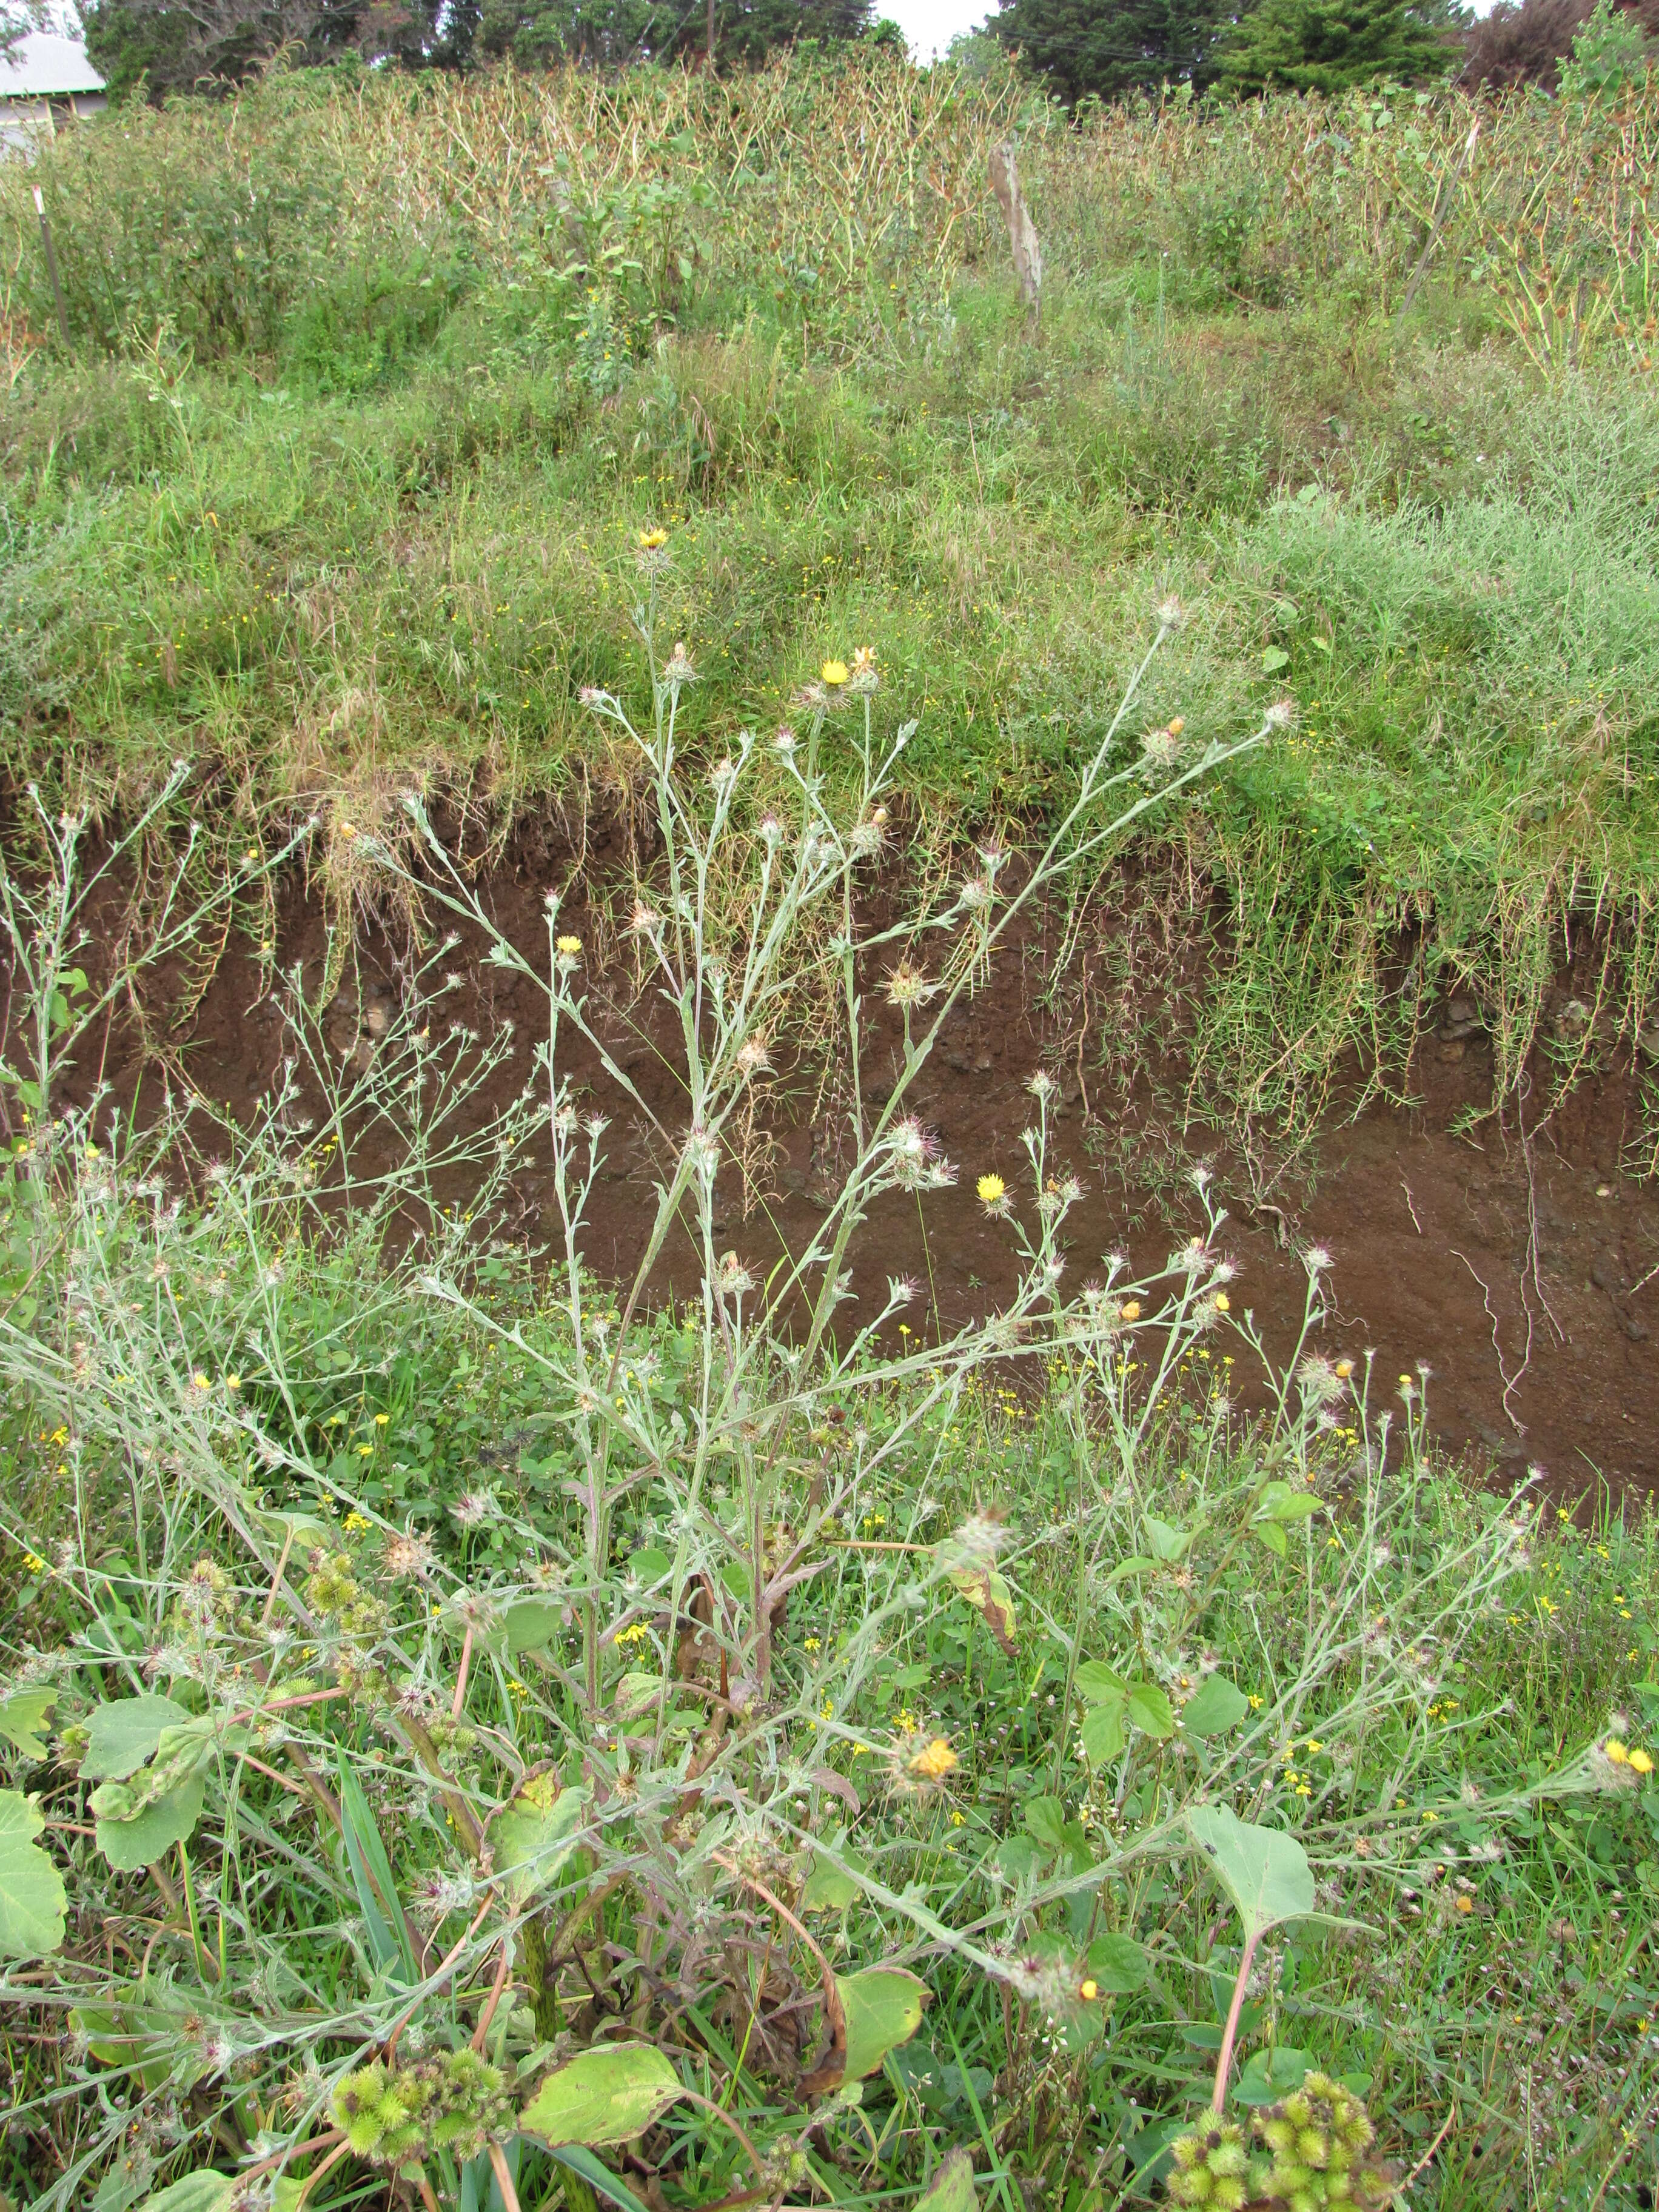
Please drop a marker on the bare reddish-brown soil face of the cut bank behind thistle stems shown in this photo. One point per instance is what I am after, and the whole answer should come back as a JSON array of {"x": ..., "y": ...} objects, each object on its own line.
[{"x": 1523, "y": 1271}]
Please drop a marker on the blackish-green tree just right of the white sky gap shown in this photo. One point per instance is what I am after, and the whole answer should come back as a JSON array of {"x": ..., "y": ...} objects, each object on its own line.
[{"x": 1114, "y": 48}]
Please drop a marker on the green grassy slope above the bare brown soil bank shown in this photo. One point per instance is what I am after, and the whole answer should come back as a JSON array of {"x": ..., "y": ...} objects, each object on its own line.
[{"x": 386, "y": 534}]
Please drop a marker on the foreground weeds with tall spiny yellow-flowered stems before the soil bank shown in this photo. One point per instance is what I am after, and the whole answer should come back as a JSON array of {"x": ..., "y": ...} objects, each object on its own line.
[{"x": 483, "y": 1738}]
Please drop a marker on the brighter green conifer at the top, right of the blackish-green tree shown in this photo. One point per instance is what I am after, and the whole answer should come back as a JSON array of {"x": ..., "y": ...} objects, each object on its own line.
[{"x": 1331, "y": 45}]
